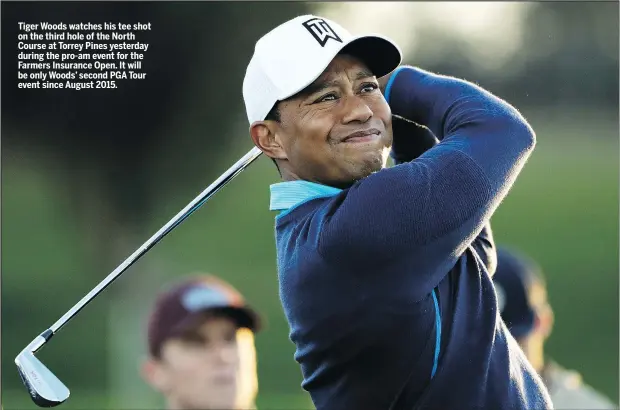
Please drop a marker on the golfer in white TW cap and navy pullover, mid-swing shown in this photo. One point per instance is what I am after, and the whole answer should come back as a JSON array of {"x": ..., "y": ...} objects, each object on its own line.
[{"x": 385, "y": 273}]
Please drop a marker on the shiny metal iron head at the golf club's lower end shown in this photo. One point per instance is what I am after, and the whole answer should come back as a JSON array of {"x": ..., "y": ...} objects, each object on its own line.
[{"x": 45, "y": 389}]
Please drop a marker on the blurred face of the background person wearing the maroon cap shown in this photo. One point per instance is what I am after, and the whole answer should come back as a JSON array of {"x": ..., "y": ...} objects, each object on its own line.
[{"x": 211, "y": 366}]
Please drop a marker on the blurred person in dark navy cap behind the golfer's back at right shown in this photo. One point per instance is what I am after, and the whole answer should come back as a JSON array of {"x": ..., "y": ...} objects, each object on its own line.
[{"x": 522, "y": 298}]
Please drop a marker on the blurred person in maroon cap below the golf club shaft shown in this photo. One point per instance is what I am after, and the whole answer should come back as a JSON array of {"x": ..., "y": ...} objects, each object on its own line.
[{"x": 201, "y": 346}]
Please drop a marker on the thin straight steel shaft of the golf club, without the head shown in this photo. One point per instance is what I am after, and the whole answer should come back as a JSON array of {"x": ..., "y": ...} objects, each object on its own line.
[{"x": 226, "y": 177}]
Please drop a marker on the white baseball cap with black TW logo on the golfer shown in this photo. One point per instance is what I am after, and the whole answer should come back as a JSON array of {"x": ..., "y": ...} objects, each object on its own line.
[{"x": 293, "y": 55}]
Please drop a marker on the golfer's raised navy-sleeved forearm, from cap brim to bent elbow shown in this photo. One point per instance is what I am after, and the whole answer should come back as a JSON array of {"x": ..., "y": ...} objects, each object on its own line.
[{"x": 486, "y": 128}]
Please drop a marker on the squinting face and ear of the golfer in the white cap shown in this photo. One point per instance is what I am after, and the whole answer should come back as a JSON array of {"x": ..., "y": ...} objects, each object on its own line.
[{"x": 335, "y": 132}]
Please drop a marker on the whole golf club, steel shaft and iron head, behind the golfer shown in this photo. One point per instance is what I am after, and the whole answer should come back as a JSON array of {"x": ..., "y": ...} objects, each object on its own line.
[{"x": 45, "y": 389}]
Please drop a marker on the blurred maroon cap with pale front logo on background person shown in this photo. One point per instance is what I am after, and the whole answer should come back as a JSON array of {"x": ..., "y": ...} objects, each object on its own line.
[{"x": 179, "y": 306}]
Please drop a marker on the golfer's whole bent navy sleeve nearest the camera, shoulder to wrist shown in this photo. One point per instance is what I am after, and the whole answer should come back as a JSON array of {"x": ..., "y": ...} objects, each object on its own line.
[{"x": 436, "y": 205}]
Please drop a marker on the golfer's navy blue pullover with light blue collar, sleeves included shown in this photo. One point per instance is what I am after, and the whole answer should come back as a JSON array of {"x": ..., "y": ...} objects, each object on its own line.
[{"x": 387, "y": 285}]
